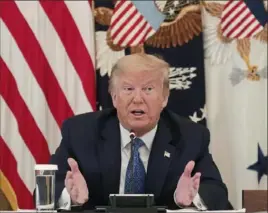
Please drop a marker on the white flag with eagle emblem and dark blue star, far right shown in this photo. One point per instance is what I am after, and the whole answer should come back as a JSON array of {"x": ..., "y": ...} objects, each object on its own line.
[{"x": 236, "y": 79}]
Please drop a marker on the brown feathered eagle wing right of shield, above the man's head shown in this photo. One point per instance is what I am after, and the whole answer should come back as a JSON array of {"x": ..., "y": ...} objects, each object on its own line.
[{"x": 181, "y": 30}]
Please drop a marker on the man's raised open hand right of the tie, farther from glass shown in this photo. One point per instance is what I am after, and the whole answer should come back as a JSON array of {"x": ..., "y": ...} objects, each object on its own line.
[{"x": 187, "y": 186}]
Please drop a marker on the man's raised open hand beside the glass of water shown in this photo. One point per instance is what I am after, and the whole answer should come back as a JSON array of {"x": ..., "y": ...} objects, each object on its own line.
[{"x": 75, "y": 184}]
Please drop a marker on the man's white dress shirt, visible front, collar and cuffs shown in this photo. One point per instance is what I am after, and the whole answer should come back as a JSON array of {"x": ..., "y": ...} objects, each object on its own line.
[{"x": 65, "y": 201}]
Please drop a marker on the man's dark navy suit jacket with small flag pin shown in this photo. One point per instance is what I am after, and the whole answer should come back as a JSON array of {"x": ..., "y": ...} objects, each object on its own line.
[{"x": 93, "y": 140}]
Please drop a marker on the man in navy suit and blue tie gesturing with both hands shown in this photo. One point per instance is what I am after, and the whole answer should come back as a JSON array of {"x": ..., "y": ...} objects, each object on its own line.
[{"x": 170, "y": 156}]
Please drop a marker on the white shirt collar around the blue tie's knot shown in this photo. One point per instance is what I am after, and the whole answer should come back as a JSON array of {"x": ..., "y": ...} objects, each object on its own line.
[{"x": 146, "y": 138}]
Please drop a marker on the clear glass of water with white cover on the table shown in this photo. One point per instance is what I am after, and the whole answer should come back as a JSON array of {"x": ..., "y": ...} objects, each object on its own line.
[{"x": 45, "y": 186}]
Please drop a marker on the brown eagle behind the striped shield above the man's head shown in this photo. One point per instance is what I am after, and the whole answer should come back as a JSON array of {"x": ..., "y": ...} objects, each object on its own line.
[{"x": 182, "y": 23}]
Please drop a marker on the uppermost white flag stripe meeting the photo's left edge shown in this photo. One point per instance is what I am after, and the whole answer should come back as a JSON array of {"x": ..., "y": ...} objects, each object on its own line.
[{"x": 28, "y": 87}]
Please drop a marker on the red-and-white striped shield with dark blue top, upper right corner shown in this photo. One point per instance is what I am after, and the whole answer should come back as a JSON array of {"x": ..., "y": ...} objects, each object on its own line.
[{"x": 241, "y": 19}]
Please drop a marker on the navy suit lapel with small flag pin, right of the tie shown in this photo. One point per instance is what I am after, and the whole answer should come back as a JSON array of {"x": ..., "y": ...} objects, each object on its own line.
[{"x": 159, "y": 160}]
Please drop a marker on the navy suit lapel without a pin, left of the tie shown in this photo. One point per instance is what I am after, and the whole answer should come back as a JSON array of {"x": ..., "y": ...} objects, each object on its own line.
[{"x": 109, "y": 150}]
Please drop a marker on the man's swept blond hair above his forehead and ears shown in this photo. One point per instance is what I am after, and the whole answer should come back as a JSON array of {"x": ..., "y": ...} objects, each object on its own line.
[{"x": 142, "y": 62}]
